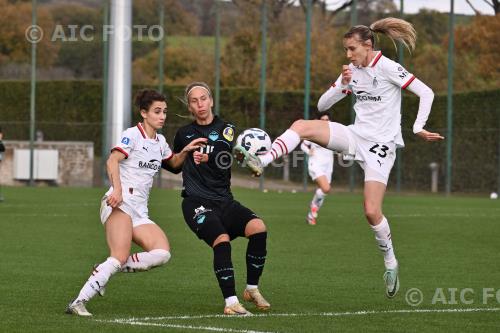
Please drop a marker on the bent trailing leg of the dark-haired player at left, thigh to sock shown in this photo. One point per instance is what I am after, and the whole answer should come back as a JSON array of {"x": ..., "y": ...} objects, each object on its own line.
[{"x": 155, "y": 243}]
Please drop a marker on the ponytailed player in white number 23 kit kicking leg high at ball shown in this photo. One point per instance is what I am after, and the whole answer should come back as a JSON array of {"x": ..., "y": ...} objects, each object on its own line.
[{"x": 376, "y": 81}]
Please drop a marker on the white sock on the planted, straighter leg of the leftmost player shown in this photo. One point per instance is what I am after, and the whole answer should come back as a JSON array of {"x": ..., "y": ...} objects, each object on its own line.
[{"x": 100, "y": 276}]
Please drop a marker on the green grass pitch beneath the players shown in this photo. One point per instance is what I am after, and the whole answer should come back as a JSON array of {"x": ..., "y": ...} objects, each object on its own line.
[{"x": 318, "y": 279}]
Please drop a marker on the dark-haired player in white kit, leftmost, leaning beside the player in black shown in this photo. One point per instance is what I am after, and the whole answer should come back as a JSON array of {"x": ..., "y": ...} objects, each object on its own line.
[{"x": 131, "y": 167}]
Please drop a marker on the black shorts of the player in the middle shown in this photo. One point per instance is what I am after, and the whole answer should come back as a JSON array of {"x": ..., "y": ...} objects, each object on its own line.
[{"x": 209, "y": 219}]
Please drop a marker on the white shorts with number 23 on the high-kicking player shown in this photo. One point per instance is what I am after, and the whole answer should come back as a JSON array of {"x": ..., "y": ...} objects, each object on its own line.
[{"x": 376, "y": 158}]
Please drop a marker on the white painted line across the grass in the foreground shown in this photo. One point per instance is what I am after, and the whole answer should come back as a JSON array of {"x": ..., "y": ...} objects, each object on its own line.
[{"x": 321, "y": 314}]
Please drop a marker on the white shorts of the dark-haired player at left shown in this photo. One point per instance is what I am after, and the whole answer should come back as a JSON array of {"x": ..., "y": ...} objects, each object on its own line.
[{"x": 134, "y": 204}]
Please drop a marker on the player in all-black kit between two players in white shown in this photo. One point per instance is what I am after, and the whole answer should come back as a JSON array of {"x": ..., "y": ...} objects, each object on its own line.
[{"x": 209, "y": 207}]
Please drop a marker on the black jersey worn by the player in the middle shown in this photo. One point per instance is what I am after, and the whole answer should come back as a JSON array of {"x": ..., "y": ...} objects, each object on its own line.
[{"x": 210, "y": 180}]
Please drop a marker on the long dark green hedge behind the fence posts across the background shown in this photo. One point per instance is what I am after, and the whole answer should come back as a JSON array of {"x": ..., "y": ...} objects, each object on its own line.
[{"x": 71, "y": 110}]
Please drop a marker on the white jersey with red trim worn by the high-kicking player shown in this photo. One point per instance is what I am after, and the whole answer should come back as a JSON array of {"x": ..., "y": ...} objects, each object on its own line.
[{"x": 377, "y": 88}]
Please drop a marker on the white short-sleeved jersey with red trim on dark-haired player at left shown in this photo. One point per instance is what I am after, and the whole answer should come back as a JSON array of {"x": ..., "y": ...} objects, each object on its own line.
[{"x": 143, "y": 157}]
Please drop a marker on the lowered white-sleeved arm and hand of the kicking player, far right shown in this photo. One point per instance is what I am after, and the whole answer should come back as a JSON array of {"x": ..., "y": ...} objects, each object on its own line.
[{"x": 424, "y": 108}]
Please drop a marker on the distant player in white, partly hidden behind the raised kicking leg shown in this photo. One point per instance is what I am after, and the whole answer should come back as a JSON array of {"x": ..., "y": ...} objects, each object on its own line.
[{"x": 320, "y": 166}]
